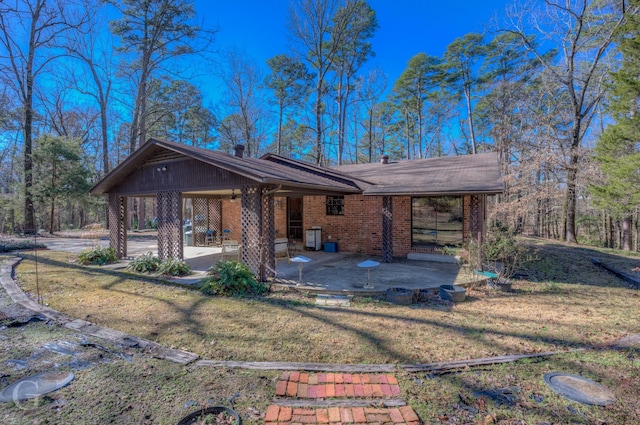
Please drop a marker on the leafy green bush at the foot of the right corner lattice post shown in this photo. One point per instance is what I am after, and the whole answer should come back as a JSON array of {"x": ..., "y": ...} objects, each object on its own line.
[{"x": 231, "y": 278}]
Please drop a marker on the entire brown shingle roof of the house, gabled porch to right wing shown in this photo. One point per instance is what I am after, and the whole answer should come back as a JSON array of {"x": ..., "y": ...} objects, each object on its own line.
[{"x": 466, "y": 174}]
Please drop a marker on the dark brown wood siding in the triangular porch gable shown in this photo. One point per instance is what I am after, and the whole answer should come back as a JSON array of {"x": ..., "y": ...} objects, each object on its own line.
[{"x": 183, "y": 175}]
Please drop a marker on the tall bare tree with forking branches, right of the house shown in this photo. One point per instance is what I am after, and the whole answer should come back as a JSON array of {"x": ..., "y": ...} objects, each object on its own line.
[{"x": 583, "y": 32}]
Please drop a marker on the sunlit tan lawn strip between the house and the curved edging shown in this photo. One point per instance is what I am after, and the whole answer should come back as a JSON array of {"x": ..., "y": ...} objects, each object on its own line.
[{"x": 539, "y": 316}]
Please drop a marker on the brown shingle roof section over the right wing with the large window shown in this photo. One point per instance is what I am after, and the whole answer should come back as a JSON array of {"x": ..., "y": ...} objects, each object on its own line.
[{"x": 463, "y": 174}]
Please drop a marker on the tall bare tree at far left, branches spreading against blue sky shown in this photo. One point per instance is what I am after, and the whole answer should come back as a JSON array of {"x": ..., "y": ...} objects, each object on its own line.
[{"x": 31, "y": 34}]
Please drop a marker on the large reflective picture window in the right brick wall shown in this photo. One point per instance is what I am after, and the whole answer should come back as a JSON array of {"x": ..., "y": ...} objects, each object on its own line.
[{"x": 437, "y": 220}]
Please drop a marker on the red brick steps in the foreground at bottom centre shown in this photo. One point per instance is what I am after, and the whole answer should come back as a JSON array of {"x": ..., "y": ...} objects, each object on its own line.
[{"x": 341, "y": 387}]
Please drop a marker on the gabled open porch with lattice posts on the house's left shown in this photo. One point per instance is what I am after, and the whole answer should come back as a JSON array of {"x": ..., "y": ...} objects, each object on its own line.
[{"x": 216, "y": 184}]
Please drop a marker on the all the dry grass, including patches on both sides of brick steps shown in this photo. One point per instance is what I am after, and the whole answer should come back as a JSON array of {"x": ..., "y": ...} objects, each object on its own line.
[{"x": 564, "y": 302}]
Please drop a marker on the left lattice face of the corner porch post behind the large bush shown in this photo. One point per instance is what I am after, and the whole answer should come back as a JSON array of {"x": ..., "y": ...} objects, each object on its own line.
[{"x": 251, "y": 223}]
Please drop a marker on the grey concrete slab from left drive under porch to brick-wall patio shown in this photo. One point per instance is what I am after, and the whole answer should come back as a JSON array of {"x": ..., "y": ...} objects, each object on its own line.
[{"x": 326, "y": 272}]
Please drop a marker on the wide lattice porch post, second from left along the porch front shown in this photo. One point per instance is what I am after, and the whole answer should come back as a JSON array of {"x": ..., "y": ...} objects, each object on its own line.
[{"x": 170, "y": 244}]
